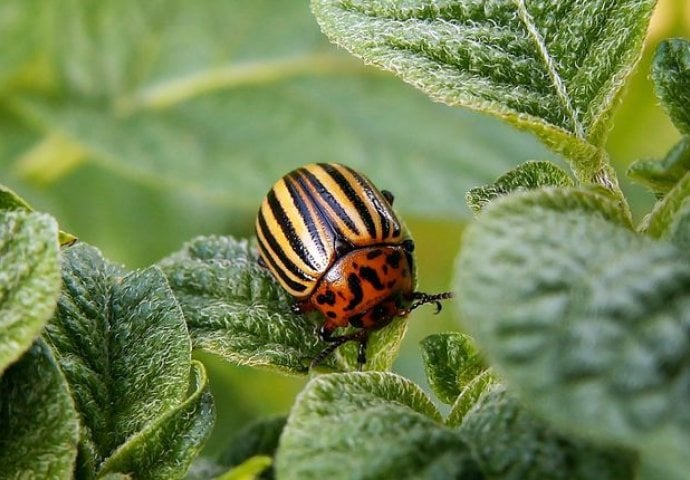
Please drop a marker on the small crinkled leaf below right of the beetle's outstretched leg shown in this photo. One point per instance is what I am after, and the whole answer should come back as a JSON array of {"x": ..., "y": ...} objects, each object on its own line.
[{"x": 451, "y": 362}]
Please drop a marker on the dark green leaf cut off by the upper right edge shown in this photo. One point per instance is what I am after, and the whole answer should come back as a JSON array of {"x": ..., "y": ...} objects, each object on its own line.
[{"x": 671, "y": 75}]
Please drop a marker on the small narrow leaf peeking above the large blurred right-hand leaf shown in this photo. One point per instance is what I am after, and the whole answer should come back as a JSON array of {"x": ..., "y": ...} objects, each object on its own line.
[{"x": 528, "y": 176}]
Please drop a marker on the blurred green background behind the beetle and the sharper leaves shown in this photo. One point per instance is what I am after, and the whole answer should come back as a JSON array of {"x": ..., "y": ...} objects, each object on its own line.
[{"x": 140, "y": 125}]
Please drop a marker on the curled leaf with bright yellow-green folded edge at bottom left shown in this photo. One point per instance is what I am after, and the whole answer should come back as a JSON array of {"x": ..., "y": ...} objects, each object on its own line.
[{"x": 165, "y": 448}]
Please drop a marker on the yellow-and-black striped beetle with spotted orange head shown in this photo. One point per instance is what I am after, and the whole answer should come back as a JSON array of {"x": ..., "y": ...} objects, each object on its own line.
[{"x": 332, "y": 240}]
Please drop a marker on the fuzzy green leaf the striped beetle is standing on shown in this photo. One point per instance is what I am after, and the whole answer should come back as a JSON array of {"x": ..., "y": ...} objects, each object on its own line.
[{"x": 235, "y": 309}]
